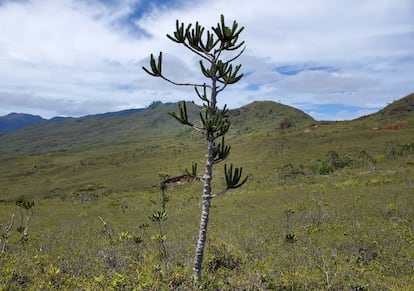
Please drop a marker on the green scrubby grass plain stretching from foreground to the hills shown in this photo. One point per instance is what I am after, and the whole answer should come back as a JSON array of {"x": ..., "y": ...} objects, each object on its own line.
[{"x": 325, "y": 208}]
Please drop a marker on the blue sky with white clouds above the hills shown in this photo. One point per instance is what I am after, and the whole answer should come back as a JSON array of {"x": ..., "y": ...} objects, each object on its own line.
[{"x": 333, "y": 59}]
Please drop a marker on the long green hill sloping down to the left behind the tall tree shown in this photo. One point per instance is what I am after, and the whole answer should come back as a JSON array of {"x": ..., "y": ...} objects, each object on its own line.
[{"x": 63, "y": 135}]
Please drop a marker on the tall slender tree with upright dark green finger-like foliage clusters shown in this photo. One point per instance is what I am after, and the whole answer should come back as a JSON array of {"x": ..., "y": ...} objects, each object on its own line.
[{"x": 217, "y": 48}]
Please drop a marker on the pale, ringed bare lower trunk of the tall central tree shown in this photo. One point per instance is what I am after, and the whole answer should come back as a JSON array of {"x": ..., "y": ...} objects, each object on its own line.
[{"x": 202, "y": 234}]
